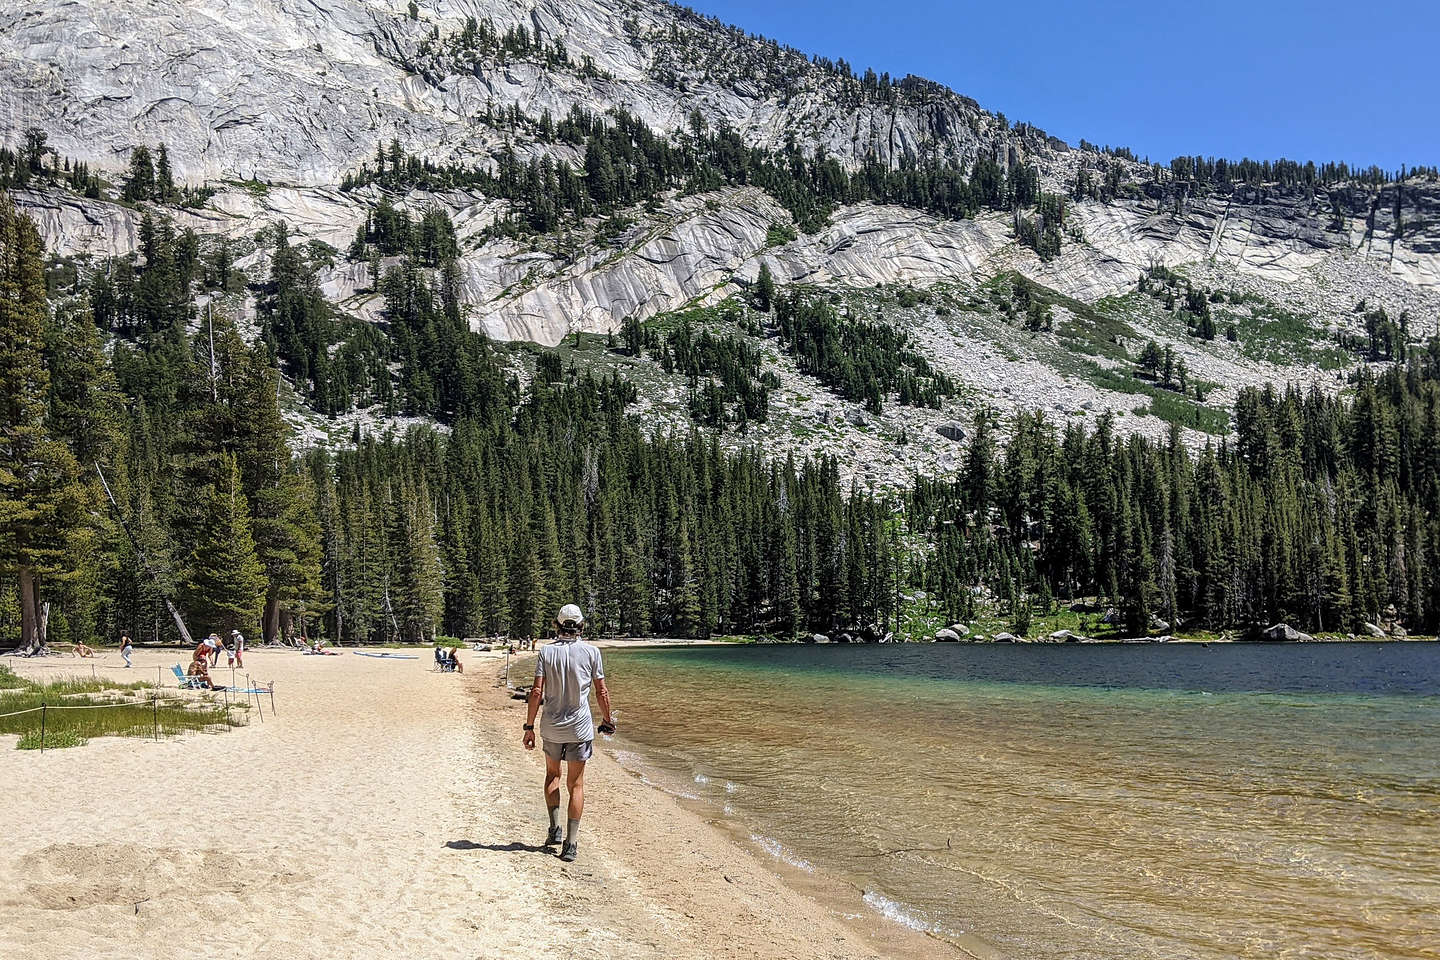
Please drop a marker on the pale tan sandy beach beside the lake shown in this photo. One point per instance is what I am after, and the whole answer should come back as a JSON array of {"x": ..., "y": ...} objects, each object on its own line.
[{"x": 382, "y": 810}]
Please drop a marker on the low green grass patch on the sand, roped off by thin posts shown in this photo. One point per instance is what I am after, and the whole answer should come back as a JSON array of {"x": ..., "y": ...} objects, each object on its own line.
[{"x": 84, "y": 709}]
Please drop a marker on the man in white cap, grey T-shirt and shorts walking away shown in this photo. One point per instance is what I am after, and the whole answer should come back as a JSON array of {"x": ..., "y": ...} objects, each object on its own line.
[{"x": 565, "y": 671}]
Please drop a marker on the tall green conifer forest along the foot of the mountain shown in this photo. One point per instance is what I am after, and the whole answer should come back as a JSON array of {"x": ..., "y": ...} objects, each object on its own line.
[{"x": 1315, "y": 510}]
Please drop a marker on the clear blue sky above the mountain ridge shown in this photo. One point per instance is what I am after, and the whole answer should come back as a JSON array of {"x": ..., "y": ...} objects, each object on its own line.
[{"x": 1266, "y": 78}]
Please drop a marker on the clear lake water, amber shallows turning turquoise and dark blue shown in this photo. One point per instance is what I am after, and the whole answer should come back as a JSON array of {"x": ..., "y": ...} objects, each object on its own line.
[{"x": 1078, "y": 801}]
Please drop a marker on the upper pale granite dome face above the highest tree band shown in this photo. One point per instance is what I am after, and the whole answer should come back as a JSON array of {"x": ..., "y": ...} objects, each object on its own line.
[{"x": 302, "y": 91}]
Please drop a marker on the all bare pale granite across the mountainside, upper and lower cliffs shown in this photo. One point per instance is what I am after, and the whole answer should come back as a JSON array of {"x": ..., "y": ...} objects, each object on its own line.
[{"x": 273, "y": 104}]
